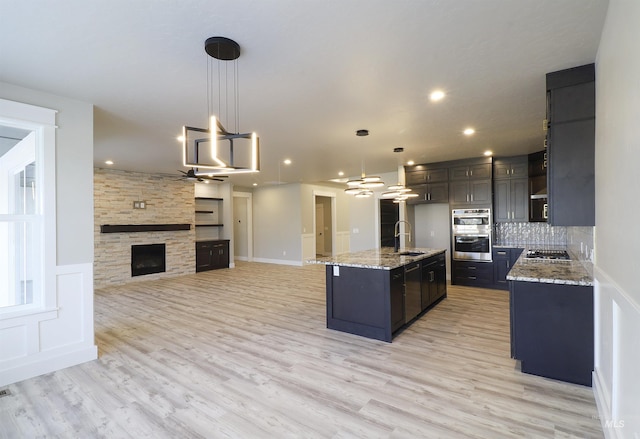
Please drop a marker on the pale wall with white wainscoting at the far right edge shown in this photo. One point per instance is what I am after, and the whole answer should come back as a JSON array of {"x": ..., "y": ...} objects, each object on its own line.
[{"x": 617, "y": 295}]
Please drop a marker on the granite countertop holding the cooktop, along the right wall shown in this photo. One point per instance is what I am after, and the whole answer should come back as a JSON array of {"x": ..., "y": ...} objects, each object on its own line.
[{"x": 573, "y": 272}]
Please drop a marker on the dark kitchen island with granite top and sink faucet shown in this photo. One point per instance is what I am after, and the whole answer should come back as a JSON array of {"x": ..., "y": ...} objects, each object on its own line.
[{"x": 376, "y": 293}]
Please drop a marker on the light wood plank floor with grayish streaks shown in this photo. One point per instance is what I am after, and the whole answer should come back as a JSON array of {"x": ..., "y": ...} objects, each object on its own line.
[{"x": 245, "y": 353}]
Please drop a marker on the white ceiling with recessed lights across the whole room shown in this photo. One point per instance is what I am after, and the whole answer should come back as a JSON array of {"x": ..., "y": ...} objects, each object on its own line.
[{"x": 311, "y": 73}]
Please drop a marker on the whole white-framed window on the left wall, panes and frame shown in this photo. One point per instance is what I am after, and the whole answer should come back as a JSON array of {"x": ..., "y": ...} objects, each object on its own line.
[{"x": 27, "y": 219}]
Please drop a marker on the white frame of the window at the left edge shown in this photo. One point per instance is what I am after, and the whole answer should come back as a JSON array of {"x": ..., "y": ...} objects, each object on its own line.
[{"x": 42, "y": 122}]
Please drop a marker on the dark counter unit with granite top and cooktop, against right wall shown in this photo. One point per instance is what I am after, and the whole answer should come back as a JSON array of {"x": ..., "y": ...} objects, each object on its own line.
[{"x": 551, "y": 309}]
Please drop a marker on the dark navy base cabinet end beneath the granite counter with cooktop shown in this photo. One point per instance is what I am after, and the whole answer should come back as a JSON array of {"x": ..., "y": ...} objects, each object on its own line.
[{"x": 552, "y": 330}]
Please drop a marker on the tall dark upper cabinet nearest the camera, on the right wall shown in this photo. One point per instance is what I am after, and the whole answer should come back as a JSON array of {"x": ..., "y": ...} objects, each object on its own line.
[{"x": 571, "y": 146}]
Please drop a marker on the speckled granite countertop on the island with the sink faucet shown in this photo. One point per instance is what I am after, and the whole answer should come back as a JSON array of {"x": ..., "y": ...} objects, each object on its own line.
[{"x": 379, "y": 259}]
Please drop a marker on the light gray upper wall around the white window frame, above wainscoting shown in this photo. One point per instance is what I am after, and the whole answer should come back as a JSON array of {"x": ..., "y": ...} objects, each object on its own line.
[{"x": 74, "y": 171}]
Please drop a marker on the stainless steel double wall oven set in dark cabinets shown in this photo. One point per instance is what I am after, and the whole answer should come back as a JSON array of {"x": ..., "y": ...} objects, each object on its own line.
[{"x": 471, "y": 234}]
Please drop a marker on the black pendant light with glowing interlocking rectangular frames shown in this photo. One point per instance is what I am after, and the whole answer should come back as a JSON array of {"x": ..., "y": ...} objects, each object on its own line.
[{"x": 216, "y": 150}]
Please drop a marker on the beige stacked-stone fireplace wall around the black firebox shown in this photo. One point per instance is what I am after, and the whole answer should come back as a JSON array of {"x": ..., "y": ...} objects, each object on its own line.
[{"x": 168, "y": 202}]
